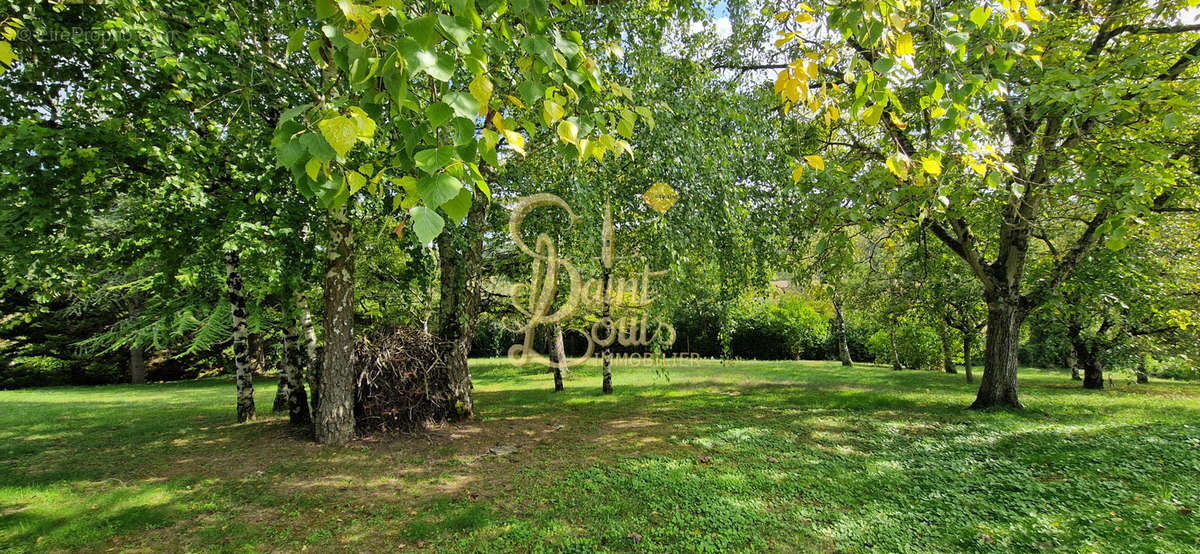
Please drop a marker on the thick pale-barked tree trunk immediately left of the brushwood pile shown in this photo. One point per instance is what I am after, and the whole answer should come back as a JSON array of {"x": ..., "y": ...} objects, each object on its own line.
[{"x": 335, "y": 412}]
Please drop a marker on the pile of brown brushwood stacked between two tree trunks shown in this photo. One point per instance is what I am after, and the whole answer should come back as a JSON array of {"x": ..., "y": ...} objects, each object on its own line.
[{"x": 403, "y": 382}]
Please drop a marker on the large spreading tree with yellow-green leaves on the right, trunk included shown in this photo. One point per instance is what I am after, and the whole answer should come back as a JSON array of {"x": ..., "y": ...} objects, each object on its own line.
[{"x": 965, "y": 121}]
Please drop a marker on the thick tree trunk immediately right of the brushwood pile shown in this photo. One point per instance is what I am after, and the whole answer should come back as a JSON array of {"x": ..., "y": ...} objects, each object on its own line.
[{"x": 459, "y": 256}]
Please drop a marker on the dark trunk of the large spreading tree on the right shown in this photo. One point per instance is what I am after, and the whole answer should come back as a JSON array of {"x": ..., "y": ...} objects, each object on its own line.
[{"x": 999, "y": 386}]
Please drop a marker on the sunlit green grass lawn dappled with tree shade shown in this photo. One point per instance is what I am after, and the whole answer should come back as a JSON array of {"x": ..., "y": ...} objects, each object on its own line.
[{"x": 745, "y": 456}]
